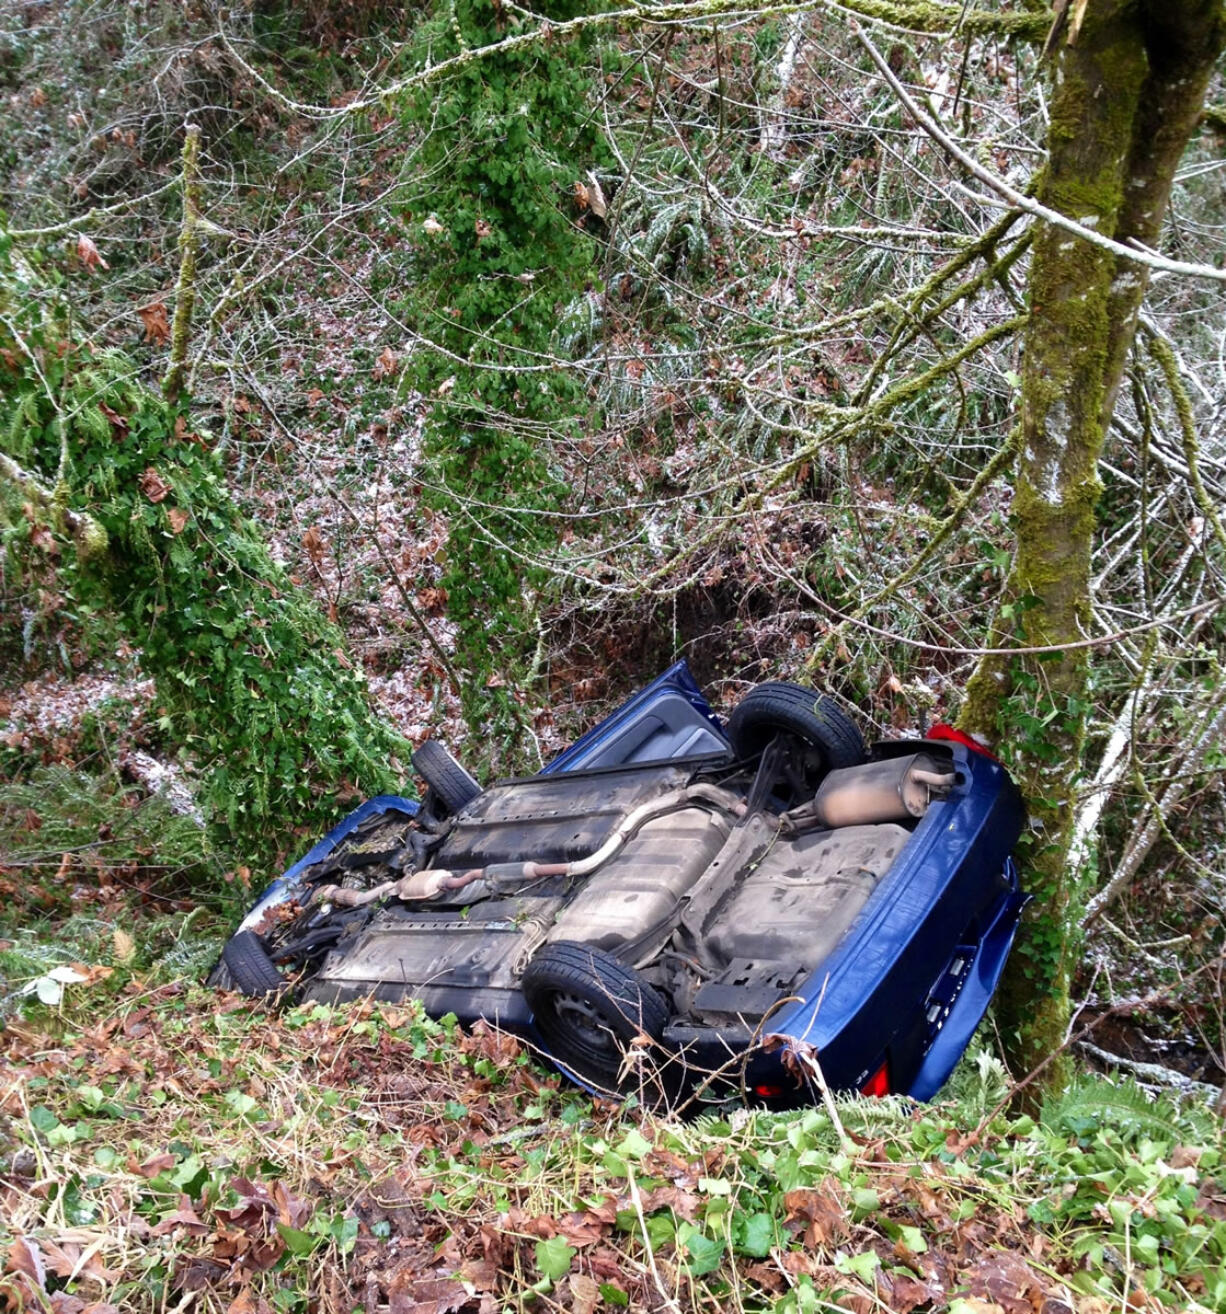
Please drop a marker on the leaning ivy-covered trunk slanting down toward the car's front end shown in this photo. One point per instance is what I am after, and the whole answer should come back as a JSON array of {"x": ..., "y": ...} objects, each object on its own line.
[{"x": 252, "y": 679}]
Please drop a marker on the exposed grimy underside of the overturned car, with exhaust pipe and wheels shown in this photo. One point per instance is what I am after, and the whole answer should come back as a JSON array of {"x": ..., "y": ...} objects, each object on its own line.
[{"x": 673, "y": 911}]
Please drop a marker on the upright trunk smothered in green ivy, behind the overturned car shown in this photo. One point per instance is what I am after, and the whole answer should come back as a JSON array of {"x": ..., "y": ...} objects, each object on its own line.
[{"x": 500, "y": 256}]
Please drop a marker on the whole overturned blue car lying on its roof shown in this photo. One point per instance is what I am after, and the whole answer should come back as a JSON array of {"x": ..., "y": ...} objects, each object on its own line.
[{"x": 677, "y": 907}]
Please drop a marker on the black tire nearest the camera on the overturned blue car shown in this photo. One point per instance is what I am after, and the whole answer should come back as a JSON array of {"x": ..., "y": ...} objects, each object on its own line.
[{"x": 589, "y": 1008}]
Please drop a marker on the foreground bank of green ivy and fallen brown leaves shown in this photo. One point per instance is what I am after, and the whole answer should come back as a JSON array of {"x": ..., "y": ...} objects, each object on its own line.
[{"x": 174, "y": 1149}]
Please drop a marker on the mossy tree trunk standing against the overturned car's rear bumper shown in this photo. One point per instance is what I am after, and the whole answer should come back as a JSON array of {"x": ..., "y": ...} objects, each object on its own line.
[{"x": 1128, "y": 91}]
